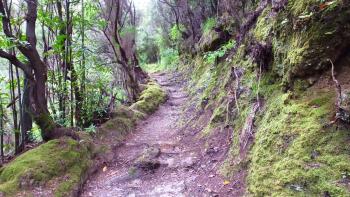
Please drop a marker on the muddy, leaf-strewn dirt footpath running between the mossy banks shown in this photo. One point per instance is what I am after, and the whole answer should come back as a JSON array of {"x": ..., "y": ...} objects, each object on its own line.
[{"x": 164, "y": 158}]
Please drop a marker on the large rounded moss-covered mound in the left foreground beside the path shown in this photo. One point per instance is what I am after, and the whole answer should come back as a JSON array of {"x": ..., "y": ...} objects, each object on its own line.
[{"x": 56, "y": 159}]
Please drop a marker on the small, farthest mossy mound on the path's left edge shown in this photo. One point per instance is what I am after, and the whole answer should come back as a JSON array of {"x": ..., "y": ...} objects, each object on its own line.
[{"x": 150, "y": 99}]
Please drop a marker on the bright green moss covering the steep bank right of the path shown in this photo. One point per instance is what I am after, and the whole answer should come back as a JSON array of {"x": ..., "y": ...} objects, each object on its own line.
[{"x": 293, "y": 154}]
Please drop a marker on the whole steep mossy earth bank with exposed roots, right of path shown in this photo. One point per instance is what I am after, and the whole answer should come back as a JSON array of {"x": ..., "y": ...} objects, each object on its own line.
[{"x": 274, "y": 92}]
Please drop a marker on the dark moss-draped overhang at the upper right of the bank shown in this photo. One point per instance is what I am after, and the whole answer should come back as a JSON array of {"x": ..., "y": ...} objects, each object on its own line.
[{"x": 303, "y": 37}]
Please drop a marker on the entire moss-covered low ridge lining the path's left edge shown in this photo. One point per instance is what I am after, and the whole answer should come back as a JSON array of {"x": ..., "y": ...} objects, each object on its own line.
[{"x": 66, "y": 161}]
